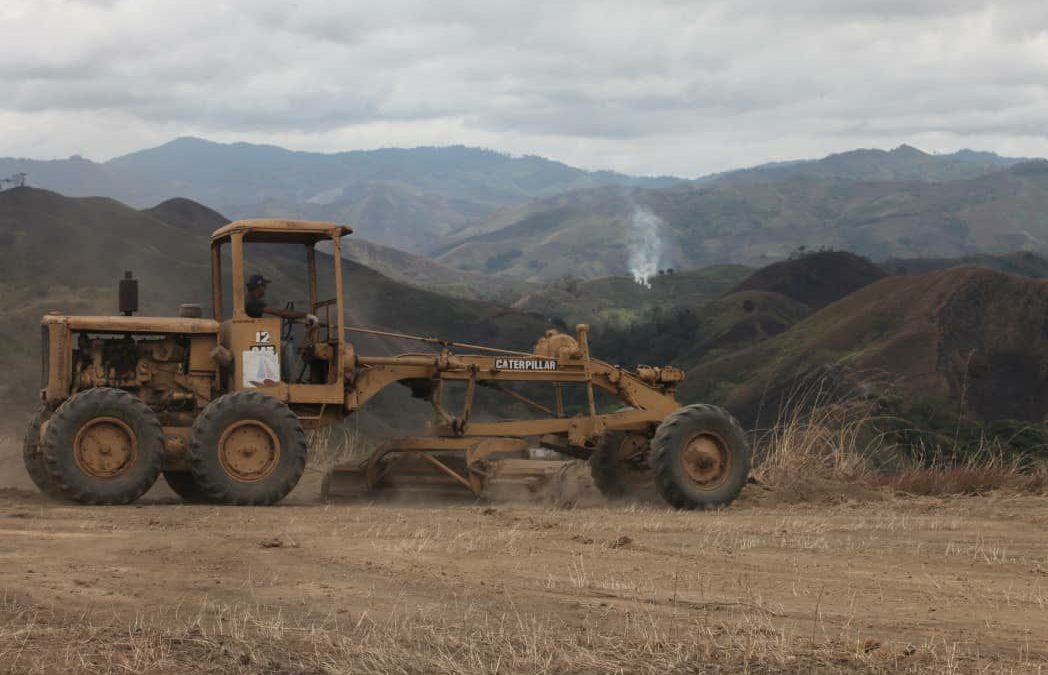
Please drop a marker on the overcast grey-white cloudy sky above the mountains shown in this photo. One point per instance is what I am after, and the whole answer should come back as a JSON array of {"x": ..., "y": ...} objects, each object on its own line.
[{"x": 680, "y": 88}]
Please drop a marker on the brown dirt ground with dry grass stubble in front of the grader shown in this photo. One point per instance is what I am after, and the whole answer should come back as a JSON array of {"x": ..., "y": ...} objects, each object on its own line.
[{"x": 957, "y": 585}]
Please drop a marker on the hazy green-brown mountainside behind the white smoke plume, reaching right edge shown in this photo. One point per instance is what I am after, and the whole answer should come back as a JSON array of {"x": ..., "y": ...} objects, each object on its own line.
[{"x": 592, "y": 233}]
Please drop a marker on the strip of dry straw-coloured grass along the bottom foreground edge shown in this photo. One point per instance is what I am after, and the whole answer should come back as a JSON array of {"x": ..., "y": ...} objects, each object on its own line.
[{"x": 229, "y": 640}]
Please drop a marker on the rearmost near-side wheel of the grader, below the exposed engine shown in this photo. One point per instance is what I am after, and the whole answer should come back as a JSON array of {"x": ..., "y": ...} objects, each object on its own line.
[{"x": 102, "y": 447}]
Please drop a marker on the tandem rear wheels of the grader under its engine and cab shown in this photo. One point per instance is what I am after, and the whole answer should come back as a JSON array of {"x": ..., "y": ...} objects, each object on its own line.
[{"x": 104, "y": 446}]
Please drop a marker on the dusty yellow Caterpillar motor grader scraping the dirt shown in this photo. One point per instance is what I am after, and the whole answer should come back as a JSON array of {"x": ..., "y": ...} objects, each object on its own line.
[{"x": 208, "y": 403}]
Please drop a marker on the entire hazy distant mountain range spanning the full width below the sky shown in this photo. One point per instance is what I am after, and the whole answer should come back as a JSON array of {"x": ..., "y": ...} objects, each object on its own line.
[{"x": 533, "y": 220}]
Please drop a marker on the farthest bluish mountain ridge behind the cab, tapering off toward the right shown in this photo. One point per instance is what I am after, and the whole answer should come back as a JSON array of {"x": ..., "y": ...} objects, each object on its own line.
[{"x": 408, "y": 199}]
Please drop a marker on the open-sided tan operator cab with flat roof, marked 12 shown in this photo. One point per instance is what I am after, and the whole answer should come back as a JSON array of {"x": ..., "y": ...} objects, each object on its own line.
[{"x": 258, "y": 349}]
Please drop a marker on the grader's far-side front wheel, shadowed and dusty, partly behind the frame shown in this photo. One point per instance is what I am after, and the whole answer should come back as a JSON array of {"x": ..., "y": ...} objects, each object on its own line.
[{"x": 621, "y": 467}]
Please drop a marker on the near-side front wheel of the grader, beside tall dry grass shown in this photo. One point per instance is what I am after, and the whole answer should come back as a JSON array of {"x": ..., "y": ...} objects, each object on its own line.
[{"x": 701, "y": 458}]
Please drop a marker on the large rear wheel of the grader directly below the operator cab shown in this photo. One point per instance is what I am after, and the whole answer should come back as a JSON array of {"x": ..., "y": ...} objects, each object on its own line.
[{"x": 248, "y": 449}]
